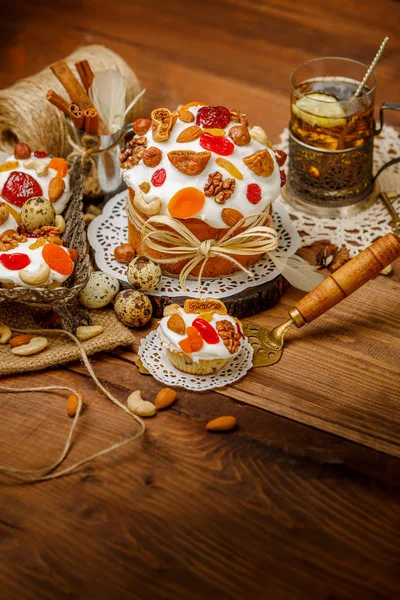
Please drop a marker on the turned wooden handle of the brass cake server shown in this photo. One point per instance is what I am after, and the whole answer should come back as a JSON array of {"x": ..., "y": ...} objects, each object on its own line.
[{"x": 347, "y": 279}]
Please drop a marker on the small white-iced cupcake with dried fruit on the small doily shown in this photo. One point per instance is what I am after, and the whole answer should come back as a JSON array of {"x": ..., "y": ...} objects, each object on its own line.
[{"x": 200, "y": 338}]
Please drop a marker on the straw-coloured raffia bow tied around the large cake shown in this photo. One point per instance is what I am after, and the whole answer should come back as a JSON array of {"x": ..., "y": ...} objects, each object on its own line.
[{"x": 171, "y": 238}]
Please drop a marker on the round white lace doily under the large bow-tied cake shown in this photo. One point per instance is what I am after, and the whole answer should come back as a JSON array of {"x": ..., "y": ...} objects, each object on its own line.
[{"x": 110, "y": 229}]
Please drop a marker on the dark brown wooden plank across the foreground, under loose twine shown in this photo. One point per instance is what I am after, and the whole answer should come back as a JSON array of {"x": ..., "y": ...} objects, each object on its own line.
[{"x": 189, "y": 514}]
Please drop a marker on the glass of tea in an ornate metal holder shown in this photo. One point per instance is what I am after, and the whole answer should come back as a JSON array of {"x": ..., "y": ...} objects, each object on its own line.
[{"x": 331, "y": 137}]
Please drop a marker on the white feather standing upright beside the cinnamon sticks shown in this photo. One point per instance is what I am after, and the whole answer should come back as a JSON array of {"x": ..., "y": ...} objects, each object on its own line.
[{"x": 108, "y": 96}]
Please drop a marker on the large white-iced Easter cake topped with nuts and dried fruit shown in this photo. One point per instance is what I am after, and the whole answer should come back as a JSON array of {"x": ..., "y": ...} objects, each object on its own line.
[{"x": 204, "y": 167}]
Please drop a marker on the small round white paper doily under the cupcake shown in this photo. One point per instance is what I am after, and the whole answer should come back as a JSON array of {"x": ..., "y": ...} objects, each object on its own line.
[{"x": 155, "y": 359}]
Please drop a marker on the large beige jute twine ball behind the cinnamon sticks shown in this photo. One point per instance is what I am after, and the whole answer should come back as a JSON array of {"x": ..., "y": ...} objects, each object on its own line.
[{"x": 26, "y": 115}]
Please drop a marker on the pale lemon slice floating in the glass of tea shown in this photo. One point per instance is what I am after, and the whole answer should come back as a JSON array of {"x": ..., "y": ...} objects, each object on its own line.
[{"x": 319, "y": 110}]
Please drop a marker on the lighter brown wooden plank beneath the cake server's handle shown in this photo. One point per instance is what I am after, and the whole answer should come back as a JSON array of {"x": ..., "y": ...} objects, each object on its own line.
[{"x": 320, "y": 379}]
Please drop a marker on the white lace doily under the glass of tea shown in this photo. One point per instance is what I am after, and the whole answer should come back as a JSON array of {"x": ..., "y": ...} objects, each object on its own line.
[{"x": 358, "y": 231}]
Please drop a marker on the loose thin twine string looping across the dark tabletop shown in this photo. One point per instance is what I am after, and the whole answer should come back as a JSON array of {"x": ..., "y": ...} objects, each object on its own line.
[{"x": 46, "y": 473}]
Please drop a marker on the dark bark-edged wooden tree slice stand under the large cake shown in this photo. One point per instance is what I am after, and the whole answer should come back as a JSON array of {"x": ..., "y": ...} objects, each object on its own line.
[{"x": 246, "y": 303}]
